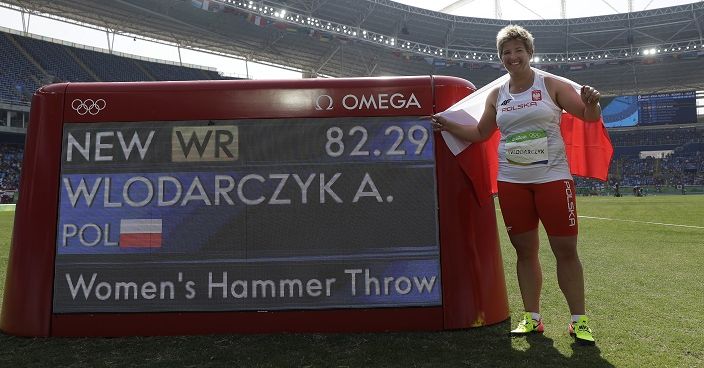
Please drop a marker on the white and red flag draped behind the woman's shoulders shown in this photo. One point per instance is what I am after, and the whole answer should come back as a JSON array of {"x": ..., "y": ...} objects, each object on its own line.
[{"x": 587, "y": 144}]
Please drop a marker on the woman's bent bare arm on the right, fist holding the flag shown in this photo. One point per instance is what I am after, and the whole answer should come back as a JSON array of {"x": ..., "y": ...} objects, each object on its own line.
[{"x": 584, "y": 105}]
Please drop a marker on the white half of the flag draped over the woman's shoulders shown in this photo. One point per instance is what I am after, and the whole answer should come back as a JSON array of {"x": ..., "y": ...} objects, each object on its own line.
[{"x": 469, "y": 110}]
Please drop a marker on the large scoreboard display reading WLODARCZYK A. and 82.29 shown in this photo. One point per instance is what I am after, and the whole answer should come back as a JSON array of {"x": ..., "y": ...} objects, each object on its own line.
[{"x": 236, "y": 215}]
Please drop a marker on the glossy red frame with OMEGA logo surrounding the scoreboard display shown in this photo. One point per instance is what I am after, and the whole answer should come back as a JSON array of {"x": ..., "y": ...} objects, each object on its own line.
[{"x": 473, "y": 287}]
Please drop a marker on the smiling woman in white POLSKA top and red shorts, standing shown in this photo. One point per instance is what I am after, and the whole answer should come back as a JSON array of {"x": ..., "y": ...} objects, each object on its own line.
[{"x": 534, "y": 190}]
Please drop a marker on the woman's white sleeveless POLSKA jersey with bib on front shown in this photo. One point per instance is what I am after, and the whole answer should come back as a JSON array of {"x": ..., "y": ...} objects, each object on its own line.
[{"x": 531, "y": 148}]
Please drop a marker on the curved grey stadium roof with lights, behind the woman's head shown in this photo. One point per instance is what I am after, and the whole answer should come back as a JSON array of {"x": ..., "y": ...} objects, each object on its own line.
[{"x": 644, "y": 51}]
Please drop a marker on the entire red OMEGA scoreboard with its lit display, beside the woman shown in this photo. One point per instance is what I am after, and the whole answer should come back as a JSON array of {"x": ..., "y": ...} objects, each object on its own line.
[{"x": 324, "y": 205}]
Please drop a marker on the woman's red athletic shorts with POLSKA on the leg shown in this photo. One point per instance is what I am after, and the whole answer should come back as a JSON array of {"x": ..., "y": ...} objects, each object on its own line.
[{"x": 553, "y": 203}]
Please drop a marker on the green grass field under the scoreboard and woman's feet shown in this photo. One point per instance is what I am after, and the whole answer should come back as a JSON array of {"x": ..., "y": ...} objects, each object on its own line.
[{"x": 645, "y": 294}]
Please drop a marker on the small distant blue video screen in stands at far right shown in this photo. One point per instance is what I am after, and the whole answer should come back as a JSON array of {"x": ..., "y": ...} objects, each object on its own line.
[{"x": 667, "y": 108}]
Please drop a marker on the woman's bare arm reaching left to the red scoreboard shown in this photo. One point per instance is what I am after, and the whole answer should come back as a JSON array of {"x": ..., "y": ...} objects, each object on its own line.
[{"x": 471, "y": 133}]
